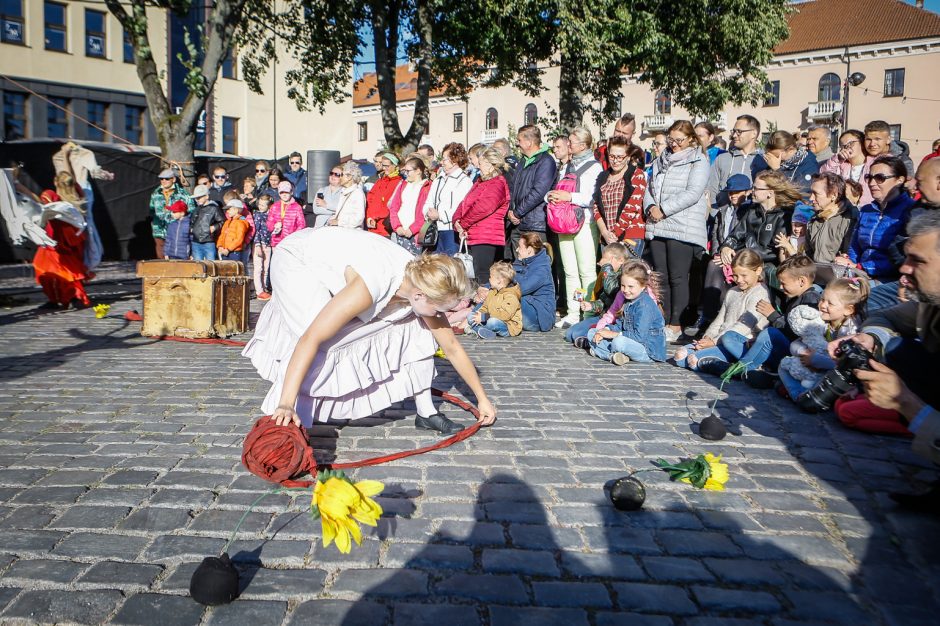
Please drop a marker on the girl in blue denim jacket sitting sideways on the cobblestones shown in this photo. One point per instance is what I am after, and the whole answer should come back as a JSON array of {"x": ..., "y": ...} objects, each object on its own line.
[{"x": 632, "y": 329}]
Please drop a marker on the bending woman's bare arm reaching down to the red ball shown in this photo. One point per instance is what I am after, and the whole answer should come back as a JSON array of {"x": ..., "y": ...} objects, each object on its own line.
[{"x": 351, "y": 300}]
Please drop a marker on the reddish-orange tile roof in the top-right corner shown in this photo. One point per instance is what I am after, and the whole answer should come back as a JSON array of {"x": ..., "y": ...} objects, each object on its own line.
[{"x": 825, "y": 24}]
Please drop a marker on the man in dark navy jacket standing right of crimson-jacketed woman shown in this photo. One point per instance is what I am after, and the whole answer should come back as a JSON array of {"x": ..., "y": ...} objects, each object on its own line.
[{"x": 534, "y": 178}]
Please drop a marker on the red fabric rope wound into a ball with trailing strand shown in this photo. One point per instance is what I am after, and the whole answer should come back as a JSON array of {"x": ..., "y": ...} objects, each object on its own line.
[{"x": 278, "y": 453}]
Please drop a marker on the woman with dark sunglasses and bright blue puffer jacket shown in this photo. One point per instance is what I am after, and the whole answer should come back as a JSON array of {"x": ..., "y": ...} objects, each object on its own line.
[{"x": 881, "y": 221}]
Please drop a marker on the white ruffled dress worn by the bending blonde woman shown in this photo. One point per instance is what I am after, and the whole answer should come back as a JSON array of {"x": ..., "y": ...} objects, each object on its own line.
[{"x": 382, "y": 357}]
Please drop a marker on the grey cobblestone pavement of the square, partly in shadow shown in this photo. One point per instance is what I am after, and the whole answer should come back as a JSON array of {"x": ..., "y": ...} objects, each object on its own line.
[{"x": 120, "y": 470}]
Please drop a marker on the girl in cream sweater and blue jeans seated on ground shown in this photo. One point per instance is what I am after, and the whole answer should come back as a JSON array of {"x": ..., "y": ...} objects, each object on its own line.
[{"x": 738, "y": 321}]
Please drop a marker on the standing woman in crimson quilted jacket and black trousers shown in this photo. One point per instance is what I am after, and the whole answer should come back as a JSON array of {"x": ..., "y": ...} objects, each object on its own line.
[{"x": 479, "y": 218}]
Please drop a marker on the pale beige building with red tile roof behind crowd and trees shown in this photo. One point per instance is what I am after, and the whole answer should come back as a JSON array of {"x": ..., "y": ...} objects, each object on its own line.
[{"x": 896, "y": 46}]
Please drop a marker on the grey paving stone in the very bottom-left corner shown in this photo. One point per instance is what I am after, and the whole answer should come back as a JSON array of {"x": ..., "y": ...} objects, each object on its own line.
[{"x": 56, "y": 606}]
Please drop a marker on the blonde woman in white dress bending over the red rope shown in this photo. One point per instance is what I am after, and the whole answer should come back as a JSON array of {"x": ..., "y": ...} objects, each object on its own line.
[{"x": 352, "y": 328}]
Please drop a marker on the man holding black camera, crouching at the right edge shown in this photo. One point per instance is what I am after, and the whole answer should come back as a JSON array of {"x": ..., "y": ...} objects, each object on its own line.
[{"x": 904, "y": 345}]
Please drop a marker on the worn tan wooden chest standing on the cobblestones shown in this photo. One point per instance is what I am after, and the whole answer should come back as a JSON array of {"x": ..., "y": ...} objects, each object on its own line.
[{"x": 194, "y": 298}]
